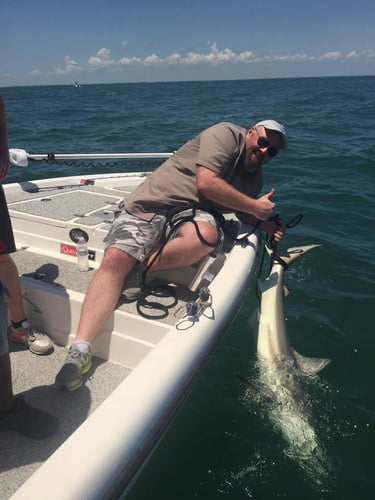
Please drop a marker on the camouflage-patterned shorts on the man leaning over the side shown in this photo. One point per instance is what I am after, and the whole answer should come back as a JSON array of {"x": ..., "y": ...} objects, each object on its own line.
[{"x": 140, "y": 238}]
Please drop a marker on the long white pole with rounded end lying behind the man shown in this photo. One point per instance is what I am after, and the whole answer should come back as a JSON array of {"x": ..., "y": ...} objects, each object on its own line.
[{"x": 21, "y": 158}]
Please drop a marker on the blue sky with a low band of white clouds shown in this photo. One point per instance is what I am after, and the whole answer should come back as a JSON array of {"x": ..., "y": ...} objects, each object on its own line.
[{"x": 44, "y": 42}]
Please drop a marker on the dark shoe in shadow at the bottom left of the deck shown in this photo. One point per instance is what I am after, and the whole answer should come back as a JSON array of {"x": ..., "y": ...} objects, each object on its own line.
[{"x": 28, "y": 421}]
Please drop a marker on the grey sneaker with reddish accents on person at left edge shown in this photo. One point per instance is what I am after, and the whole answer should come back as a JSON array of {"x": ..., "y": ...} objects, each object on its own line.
[{"x": 32, "y": 336}]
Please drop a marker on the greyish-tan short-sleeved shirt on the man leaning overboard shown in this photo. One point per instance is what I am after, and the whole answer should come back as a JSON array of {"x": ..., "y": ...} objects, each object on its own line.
[{"x": 219, "y": 148}]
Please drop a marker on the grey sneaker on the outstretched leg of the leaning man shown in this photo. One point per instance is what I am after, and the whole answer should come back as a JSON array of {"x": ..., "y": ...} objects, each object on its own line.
[{"x": 76, "y": 364}]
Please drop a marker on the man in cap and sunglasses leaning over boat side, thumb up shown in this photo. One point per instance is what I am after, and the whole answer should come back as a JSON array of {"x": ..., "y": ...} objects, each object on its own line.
[{"x": 219, "y": 171}]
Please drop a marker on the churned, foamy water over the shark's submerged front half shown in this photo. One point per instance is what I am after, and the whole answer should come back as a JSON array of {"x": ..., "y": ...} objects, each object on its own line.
[{"x": 284, "y": 395}]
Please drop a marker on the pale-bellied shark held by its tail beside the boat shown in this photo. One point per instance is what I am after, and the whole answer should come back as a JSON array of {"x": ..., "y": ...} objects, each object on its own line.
[{"x": 284, "y": 375}]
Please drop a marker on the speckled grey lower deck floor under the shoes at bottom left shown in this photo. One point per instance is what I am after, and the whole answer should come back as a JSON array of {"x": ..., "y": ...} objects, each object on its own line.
[{"x": 34, "y": 376}]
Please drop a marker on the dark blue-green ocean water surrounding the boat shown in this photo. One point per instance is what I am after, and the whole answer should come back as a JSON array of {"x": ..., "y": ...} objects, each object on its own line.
[{"x": 232, "y": 441}]
